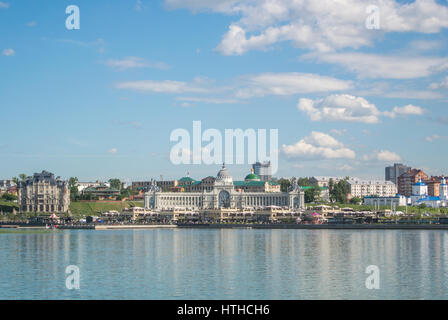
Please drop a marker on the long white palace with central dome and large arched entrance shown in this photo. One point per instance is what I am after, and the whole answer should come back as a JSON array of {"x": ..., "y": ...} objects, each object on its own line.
[{"x": 225, "y": 193}]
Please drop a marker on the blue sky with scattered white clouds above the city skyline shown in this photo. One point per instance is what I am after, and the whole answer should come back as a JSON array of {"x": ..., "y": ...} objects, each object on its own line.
[{"x": 350, "y": 89}]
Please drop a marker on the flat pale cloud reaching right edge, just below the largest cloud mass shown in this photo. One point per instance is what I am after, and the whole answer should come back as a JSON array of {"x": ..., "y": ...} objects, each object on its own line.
[{"x": 382, "y": 66}]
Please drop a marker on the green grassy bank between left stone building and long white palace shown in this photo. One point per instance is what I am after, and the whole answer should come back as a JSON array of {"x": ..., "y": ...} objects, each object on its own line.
[{"x": 95, "y": 208}]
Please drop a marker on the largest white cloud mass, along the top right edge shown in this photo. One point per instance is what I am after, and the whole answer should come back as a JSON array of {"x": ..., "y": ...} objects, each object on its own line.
[{"x": 322, "y": 25}]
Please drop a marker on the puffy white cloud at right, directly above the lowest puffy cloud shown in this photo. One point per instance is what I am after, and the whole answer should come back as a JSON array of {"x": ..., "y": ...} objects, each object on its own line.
[{"x": 342, "y": 107}]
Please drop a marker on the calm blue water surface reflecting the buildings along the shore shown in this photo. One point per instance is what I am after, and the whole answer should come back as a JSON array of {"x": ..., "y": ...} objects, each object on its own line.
[{"x": 225, "y": 264}]
